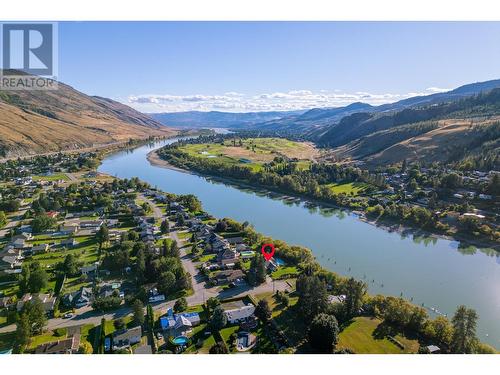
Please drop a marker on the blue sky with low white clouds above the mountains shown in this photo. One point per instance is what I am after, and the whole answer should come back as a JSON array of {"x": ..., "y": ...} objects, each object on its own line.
[{"x": 261, "y": 66}]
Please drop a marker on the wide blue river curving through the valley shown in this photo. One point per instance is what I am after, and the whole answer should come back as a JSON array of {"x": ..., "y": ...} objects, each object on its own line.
[{"x": 439, "y": 273}]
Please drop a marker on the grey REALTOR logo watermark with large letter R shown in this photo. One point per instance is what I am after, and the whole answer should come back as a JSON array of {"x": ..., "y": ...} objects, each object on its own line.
[{"x": 29, "y": 56}]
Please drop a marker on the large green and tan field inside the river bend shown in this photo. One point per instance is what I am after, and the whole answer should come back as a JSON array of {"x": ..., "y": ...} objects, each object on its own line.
[{"x": 254, "y": 151}]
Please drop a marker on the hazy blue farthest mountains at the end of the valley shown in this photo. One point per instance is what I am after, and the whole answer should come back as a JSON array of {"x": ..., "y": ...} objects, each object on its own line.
[{"x": 215, "y": 119}]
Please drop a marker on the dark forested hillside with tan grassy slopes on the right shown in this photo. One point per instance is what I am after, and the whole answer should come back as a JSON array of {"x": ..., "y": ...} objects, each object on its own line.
[{"x": 446, "y": 132}]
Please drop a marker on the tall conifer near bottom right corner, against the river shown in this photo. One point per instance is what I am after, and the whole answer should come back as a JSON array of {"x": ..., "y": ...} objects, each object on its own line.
[{"x": 464, "y": 338}]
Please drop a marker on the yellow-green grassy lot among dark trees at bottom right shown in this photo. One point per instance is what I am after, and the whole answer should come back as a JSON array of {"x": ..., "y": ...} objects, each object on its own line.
[{"x": 363, "y": 337}]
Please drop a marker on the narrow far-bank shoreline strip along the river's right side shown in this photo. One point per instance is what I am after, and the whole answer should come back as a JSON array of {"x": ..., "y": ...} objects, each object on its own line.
[{"x": 395, "y": 227}]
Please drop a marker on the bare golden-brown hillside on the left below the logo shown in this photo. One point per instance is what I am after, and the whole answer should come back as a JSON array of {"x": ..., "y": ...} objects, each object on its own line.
[{"x": 43, "y": 121}]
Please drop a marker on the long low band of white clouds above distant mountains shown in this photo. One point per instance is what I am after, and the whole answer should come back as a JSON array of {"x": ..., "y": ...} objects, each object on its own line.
[{"x": 274, "y": 101}]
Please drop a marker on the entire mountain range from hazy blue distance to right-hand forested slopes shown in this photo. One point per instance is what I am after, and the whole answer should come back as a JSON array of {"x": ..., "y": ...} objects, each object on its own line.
[{"x": 443, "y": 126}]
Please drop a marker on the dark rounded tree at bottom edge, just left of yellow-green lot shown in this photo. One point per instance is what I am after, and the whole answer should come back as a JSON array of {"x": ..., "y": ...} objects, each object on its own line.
[{"x": 323, "y": 333}]
